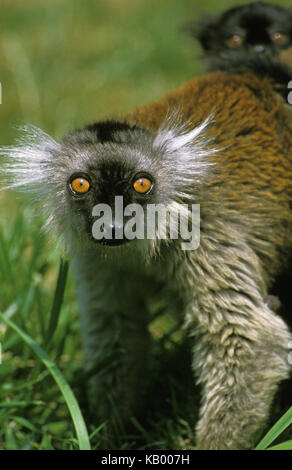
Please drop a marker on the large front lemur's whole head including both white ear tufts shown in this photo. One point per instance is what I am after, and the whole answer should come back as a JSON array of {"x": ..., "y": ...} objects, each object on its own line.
[{"x": 107, "y": 184}]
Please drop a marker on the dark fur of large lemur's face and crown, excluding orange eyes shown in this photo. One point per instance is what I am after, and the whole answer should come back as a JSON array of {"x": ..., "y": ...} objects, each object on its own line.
[{"x": 112, "y": 170}]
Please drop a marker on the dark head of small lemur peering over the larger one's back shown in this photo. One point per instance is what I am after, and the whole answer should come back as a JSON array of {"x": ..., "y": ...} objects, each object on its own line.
[{"x": 258, "y": 26}]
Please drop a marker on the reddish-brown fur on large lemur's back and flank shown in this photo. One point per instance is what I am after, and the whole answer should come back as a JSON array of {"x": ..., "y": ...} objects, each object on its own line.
[{"x": 255, "y": 167}]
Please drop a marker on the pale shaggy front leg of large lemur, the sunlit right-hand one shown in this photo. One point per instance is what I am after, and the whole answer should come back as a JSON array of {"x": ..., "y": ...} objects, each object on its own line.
[{"x": 241, "y": 349}]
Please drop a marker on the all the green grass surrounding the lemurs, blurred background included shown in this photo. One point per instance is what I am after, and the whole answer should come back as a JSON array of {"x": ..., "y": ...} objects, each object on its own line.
[{"x": 63, "y": 64}]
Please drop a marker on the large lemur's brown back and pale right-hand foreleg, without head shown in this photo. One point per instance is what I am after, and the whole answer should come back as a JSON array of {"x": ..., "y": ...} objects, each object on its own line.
[{"x": 246, "y": 239}]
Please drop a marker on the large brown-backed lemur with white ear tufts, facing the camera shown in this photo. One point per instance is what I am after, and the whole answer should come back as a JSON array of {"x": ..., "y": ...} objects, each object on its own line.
[{"x": 222, "y": 141}]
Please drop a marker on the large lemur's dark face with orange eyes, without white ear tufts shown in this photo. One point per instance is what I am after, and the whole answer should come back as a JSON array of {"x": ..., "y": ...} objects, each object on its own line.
[{"x": 111, "y": 176}]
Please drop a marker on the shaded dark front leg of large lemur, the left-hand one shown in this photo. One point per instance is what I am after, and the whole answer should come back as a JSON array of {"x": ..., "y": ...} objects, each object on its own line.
[{"x": 115, "y": 337}]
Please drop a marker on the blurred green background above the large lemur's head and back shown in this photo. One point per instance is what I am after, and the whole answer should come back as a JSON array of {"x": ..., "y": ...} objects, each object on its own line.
[{"x": 68, "y": 62}]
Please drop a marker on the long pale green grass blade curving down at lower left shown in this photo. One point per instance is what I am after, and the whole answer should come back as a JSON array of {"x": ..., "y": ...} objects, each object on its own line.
[{"x": 69, "y": 397}]
